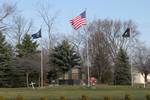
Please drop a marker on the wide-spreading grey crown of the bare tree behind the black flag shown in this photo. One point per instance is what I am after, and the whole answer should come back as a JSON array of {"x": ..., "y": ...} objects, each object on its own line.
[{"x": 113, "y": 31}]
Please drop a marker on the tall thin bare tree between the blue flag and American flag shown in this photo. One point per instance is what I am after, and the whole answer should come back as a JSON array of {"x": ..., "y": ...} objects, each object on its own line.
[{"x": 48, "y": 20}]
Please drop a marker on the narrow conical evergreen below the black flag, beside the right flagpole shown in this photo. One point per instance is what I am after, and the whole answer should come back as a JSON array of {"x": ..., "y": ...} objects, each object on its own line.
[{"x": 122, "y": 74}]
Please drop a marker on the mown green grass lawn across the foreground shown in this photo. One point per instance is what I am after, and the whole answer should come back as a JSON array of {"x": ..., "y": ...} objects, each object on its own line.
[{"x": 75, "y": 92}]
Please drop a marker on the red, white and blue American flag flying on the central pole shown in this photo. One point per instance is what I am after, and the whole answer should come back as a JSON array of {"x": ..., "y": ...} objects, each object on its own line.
[{"x": 78, "y": 21}]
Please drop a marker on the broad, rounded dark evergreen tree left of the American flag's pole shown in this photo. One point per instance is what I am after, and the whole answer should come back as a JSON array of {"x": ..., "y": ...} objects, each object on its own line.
[{"x": 64, "y": 57}]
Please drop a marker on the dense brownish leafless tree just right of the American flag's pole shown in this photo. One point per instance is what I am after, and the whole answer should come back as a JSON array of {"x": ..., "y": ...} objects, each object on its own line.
[{"x": 100, "y": 60}]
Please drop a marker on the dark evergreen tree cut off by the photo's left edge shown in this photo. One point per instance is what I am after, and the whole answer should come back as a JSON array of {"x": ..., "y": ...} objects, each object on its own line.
[{"x": 6, "y": 61}]
